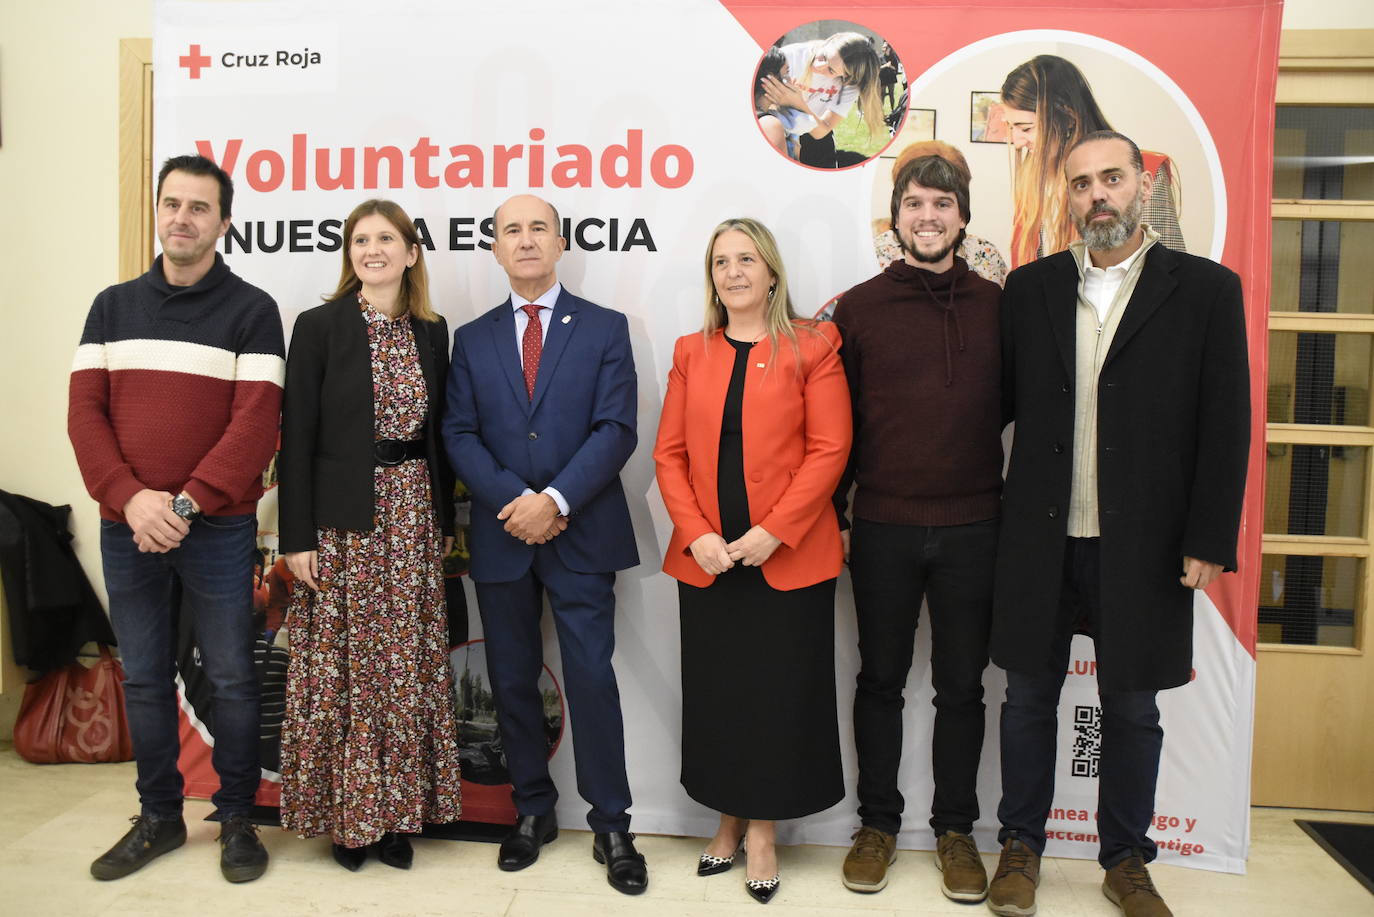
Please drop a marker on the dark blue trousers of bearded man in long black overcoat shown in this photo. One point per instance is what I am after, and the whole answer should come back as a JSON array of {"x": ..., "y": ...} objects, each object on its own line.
[{"x": 1131, "y": 736}]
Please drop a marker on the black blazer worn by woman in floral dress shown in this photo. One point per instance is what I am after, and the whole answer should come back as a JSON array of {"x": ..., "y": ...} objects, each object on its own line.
[{"x": 325, "y": 469}]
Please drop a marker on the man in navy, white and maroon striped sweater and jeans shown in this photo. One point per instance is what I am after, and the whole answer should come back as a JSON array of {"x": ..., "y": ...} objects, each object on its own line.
[{"x": 174, "y": 413}]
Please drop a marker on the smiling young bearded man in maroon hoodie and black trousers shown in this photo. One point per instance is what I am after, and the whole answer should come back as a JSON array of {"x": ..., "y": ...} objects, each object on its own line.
[{"x": 923, "y": 354}]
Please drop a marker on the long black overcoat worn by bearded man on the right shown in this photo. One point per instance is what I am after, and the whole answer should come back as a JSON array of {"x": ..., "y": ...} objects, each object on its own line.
[{"x": 1174, "y": 428}]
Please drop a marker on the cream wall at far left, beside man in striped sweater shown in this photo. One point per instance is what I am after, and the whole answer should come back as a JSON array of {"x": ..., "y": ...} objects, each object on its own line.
[{"x": 60, "y": 108}]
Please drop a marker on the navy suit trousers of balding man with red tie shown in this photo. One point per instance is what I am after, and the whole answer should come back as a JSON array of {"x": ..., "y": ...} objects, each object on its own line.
[{"x": 585, "y": 615}]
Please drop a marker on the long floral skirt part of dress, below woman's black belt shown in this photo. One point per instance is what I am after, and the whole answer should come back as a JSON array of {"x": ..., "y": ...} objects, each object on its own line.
[{"x": 370, "y": 740}]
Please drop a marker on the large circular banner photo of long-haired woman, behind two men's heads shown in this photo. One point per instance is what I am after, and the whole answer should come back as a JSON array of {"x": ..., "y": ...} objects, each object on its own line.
[{"x": 1017, "y": 189}]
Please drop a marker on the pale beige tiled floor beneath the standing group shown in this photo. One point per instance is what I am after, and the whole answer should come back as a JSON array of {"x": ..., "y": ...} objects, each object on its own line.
[{"x": 57, "y": 819}]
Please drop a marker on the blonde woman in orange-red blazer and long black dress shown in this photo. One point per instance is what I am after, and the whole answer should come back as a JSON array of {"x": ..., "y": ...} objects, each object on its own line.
[{"x": 754, "y": 439}]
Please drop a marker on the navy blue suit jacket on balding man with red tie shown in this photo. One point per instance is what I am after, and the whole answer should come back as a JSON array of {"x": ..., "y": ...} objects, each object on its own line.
[{"x": 575, "y": 435}]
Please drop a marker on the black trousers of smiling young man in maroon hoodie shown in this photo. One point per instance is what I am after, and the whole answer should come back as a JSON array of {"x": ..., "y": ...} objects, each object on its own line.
[{"x": 894, "y": 567}]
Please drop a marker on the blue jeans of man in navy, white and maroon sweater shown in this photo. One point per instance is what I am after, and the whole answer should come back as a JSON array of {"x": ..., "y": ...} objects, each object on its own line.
[{"x": 212, "y": 574}]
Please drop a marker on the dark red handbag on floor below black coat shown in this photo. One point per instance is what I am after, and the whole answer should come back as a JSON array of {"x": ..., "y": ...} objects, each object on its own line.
[{"x": 75, "y": 716}]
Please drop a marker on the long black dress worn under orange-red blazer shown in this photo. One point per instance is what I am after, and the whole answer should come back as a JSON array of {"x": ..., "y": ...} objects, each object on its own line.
[{"x": 761, "y": 738}]
